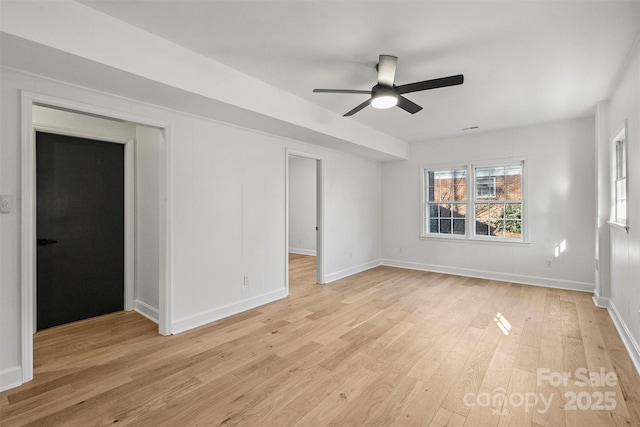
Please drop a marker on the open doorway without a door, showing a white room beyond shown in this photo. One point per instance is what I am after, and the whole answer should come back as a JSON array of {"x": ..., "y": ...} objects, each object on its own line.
[{"x": 304, "y": 212}]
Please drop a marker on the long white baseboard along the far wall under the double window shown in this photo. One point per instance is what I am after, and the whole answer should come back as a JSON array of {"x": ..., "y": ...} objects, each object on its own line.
[{"x": 491, "y": 275}]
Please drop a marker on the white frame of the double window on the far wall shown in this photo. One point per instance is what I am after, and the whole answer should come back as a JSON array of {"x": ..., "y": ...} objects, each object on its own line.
[{"x": 471, "y": 200}]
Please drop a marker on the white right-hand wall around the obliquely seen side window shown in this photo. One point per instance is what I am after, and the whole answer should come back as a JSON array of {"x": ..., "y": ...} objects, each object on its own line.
[{"x": 623, "y": 296}]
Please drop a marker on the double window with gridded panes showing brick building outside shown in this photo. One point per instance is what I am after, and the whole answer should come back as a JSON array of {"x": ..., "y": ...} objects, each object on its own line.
[{"x": 489, "y": 208}]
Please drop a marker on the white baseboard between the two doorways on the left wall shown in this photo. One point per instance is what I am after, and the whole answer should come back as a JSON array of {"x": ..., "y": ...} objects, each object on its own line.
[{"x": 209, "y": 316}]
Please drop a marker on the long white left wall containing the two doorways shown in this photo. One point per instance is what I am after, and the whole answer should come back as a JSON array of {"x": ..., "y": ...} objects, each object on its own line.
[{"x": 227, "y": 212}]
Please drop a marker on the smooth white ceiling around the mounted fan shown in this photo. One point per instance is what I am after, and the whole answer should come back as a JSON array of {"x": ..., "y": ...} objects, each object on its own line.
[{"x": 524, "y": 62}]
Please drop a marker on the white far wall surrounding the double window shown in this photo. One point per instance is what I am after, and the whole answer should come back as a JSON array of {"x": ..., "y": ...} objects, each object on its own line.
[{"x": 560, "y": 202}]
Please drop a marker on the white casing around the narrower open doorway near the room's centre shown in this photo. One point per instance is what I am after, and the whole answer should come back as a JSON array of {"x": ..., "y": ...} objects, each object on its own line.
[{"x": 319, "y": 214}]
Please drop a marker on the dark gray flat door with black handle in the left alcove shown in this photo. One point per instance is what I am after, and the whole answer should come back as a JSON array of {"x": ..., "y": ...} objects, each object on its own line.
[{"x": 80, "y": 228}]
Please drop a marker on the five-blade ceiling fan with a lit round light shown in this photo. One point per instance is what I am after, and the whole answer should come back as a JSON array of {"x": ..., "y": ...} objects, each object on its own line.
[{"x": 386, "y": 94}]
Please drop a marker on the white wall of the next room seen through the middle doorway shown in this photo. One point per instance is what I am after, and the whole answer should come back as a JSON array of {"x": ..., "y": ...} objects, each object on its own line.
[{"x": 302, "y": 205}]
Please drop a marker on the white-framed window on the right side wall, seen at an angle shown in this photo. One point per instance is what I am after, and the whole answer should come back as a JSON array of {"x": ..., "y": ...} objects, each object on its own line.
[{"x": 619, "y": 216}]
